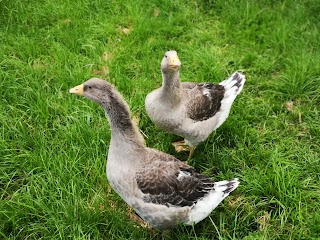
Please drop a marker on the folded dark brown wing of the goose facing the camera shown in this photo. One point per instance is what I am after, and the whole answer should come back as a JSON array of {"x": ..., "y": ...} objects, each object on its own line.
[{"x": 203, "y": 101}]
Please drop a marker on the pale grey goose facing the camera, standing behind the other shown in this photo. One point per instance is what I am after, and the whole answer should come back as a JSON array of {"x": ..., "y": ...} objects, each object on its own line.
[{"x": 190, "y": 110}]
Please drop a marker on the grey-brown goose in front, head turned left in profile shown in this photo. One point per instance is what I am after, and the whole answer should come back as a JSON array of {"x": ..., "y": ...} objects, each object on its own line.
[{"x": 161, "y": 189}]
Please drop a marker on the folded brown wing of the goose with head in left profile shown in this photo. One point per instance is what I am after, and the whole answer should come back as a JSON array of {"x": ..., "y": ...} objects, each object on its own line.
[{"x": 172, "y": 183}]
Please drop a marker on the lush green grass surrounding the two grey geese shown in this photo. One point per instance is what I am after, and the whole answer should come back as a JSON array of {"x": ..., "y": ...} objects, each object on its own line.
[{"x": 53, "y": 144}]
